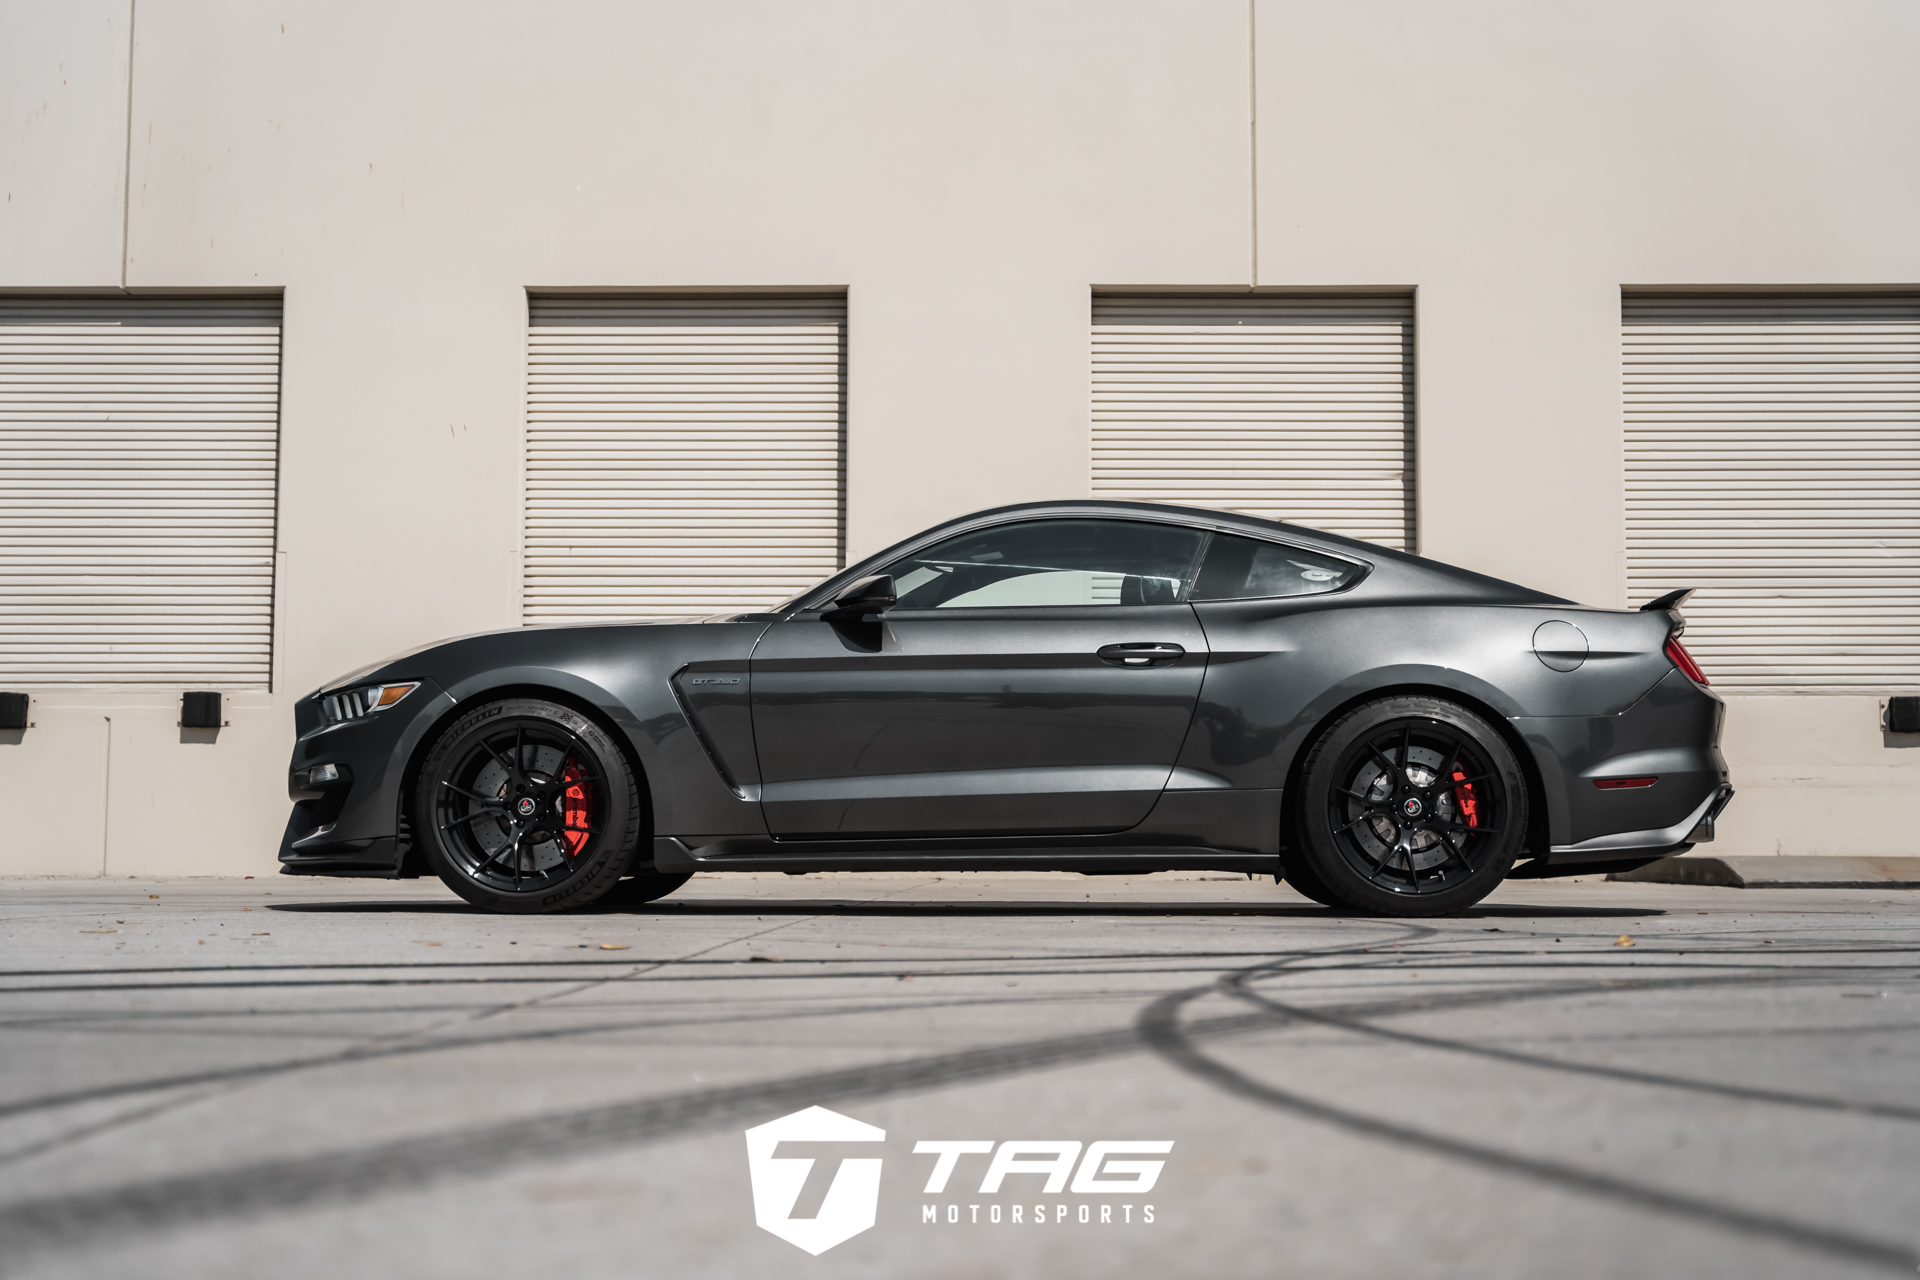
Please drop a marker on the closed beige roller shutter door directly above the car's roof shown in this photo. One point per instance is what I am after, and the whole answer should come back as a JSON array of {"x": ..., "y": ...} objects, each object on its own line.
[{"x": 1285, "y": 408}]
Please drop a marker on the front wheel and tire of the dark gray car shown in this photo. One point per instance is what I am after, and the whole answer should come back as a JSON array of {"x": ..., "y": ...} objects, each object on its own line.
[{"x": 529, "y": 807}]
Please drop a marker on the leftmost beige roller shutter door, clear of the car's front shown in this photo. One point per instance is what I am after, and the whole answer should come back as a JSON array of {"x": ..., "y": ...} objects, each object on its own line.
[{"x": 137, "y": 490}]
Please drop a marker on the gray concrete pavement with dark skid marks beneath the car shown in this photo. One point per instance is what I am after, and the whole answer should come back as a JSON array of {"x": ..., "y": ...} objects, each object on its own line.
[{"x": 283, "y": 1078}]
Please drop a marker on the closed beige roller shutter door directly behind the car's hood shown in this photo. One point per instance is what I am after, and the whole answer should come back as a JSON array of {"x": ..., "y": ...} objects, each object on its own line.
[{"x": 683, "y": 454}]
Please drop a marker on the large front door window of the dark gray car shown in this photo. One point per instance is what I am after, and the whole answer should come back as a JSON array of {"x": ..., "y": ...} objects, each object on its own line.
[{"x": 1053, "y": 563}]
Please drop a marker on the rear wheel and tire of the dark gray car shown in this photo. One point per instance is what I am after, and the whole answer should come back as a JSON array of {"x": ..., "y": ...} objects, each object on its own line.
[{"x": 1383, "y": 834}]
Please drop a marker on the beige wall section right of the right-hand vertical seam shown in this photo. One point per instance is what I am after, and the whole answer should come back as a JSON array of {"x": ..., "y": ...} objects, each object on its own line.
[{"x": 1524, "y": 164}]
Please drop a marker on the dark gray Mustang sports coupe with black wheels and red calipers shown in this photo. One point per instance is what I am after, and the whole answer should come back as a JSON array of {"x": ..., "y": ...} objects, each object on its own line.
[{"x": 1097, "y": 688}]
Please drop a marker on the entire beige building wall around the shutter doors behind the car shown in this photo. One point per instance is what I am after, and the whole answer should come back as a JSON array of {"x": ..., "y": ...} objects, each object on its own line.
[{"x": 967, "y": 172}]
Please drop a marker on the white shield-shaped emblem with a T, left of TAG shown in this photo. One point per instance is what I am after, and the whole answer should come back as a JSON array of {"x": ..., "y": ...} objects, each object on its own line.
[{"x": 815, "y": 1177}]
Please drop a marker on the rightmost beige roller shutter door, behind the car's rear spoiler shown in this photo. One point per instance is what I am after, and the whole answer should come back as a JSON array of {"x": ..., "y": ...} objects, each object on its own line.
[{"x": 1773, "y": 462}]
